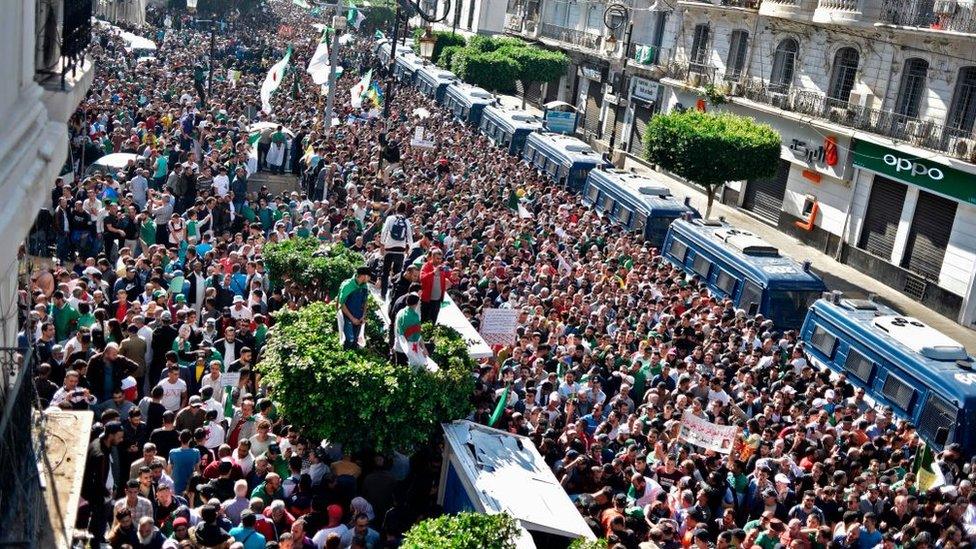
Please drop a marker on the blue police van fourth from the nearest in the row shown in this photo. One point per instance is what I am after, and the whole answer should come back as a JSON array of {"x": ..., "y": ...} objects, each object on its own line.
[{"x": 567, "y": 159}]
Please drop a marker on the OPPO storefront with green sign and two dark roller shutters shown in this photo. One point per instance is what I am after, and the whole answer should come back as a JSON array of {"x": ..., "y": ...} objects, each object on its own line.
[{"x": 917, "y": 227}]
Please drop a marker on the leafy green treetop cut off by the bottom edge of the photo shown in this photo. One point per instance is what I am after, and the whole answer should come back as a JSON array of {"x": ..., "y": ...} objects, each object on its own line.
[{"x": 464, "y": 531}]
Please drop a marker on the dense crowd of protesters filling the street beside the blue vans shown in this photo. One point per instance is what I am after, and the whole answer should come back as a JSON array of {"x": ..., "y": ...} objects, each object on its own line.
[{"x": 157, "y": 288}]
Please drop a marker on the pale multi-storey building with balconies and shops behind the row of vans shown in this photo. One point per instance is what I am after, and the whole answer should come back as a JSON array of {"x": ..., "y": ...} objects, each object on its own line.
[{"x": 875, "y": 101}]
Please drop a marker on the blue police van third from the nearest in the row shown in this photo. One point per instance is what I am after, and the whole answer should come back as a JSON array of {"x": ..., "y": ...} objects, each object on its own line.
[{"x": 642, "y": 204}]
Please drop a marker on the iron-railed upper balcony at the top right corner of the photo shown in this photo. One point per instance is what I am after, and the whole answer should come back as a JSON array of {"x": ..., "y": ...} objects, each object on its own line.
[{"x": 930, "y": 15}]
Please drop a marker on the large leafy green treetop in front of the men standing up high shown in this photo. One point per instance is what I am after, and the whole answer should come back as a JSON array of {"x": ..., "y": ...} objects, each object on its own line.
[{"x": 357, "y": 397}]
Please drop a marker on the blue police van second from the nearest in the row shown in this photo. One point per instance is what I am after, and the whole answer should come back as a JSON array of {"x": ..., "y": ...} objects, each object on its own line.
[{"x": 739, "y": 265}]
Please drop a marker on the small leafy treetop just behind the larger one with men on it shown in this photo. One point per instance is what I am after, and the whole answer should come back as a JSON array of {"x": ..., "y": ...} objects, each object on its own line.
[{"x": 316, "y": 269}]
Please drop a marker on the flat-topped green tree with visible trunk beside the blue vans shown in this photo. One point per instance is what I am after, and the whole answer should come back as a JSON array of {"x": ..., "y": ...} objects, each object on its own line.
[{"x": 712, "y": 148}]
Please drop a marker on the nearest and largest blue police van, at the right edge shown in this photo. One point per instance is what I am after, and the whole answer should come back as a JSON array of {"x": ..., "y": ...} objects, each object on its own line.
[{"x": 925, "y": 376}]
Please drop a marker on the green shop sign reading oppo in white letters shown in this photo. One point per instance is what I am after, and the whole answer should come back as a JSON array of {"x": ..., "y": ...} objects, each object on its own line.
[{"x": 921, "y": 172}]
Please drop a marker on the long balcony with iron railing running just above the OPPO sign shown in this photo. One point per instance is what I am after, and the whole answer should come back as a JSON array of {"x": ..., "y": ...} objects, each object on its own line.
[{"x": 926, "y": 134}]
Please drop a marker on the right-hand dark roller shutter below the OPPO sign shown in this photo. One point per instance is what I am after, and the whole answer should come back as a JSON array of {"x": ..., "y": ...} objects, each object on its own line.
[{"x": 929, "y": 235}]
